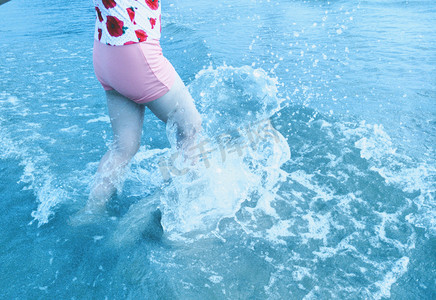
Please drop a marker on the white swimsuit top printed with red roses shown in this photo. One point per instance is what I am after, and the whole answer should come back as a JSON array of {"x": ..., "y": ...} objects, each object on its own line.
[{"x": 124, "y": 22}]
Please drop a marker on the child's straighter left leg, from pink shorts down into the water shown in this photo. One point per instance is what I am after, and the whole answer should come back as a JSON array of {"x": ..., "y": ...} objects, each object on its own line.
[{"x": 126, "y": 118}]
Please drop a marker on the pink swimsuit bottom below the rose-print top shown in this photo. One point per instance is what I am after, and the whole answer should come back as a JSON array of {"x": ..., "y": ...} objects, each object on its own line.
[{"x": 137, "y": 71}]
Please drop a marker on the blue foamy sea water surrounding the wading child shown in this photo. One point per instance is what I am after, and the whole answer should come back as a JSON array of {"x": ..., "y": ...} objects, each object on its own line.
[{"x": 337, "y": 203}]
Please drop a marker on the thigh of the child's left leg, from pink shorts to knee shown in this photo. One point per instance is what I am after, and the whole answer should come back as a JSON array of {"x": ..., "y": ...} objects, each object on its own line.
[{"x": 127, "y": 118}]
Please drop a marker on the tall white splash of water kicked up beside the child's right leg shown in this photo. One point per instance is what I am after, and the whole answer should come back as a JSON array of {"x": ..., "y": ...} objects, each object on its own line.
[{"x": 240, "y": 152}]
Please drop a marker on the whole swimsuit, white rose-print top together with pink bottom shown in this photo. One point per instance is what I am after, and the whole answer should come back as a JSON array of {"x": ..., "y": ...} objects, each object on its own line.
[{"x": 127, "y": 55}]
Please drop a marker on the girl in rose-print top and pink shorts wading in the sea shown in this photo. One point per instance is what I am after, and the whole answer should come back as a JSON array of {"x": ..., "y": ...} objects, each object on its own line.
[{"x": 129, "y": 64}]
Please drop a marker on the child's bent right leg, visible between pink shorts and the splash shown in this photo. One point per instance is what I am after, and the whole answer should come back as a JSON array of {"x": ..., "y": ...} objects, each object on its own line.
[{"x": 178, "y": 106}]
